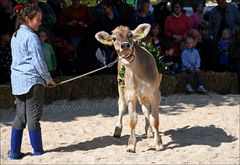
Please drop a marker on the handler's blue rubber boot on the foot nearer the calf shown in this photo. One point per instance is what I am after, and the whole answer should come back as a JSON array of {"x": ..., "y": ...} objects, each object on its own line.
[{"x": 36, "y": 142}]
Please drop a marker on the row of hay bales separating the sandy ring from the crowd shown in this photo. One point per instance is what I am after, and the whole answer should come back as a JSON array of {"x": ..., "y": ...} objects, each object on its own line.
[{"x": 106, "y": 86}]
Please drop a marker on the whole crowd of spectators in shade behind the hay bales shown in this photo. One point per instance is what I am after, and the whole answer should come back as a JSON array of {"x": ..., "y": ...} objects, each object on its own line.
[{"x": 67, "y": 35}]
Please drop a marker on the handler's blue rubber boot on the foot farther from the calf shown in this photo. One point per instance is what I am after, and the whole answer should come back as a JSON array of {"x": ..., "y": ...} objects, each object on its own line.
[{"x": 16, "y": 142}]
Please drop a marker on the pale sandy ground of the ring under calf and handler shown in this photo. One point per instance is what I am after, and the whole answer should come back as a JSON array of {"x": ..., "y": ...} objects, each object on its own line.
[{"x": 196, "y": 129}]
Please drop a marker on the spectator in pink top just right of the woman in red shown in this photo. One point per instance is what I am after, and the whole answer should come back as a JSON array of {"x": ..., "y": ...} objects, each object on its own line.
[{"x": 196, "y": 17}]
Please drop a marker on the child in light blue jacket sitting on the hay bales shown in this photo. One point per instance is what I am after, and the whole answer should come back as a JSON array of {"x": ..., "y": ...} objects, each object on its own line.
[{"x": 191, "y": 65}]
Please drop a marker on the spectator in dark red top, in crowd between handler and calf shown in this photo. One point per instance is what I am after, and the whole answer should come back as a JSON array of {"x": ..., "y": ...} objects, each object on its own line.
[{"x": 74, "y": 22}]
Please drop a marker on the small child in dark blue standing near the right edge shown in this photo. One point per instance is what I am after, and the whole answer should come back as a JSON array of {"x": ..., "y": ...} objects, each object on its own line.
[{"x": 223, "y": 45}]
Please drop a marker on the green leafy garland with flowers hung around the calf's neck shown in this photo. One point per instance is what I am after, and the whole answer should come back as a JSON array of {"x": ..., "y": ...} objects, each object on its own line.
[{"x": 156, "y": 54}]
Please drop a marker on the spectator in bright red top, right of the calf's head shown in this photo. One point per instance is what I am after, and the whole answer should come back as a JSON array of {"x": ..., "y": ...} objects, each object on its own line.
[{"x": 176, "y": 27}]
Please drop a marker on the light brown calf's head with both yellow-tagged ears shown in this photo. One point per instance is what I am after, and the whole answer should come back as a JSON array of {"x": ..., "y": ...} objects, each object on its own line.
[{"x": 122, "y": 38}]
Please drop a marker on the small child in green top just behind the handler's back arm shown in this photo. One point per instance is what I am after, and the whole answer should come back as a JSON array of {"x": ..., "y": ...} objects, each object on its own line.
[{"x": 49, "y": 54}]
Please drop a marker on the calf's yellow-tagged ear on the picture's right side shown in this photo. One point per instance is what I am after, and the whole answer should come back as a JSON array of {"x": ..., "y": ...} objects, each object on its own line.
[{"x": 141, "y": 31}]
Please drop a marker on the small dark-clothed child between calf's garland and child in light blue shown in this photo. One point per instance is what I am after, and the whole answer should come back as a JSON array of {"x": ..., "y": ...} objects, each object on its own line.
[{"x": 172, "y": 66}]
